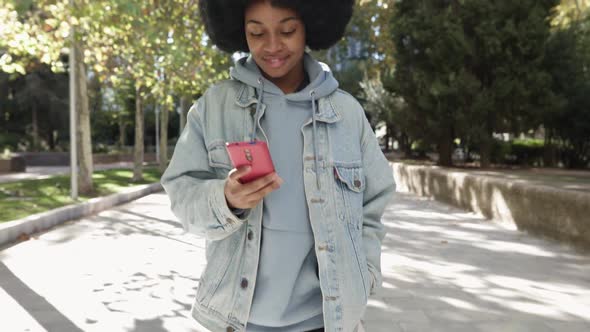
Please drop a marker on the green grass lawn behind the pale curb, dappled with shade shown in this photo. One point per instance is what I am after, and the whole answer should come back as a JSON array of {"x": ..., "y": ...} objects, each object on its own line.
[{"x": 22, "y": 198}]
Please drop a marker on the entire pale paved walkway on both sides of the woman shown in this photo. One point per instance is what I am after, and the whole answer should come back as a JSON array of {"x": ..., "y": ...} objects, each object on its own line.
[{"x": 132, "y": 269}]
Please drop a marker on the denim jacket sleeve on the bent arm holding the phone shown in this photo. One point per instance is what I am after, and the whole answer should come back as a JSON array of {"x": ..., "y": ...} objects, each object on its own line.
[{"x": 196, "y": 193}]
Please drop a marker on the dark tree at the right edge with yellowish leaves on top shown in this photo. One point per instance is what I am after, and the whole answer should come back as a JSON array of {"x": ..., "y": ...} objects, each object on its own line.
[{"x": 567, "y": 123}]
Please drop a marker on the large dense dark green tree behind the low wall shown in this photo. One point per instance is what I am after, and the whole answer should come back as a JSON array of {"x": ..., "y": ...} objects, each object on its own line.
[{"x": 471, "y": 68}]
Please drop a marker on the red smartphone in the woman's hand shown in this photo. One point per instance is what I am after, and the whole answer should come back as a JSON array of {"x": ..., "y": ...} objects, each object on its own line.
[{"x": 253, "y": 153}]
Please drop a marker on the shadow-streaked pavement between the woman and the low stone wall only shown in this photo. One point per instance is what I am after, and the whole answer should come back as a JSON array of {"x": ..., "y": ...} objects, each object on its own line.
[{"x": 448, "y": 270}]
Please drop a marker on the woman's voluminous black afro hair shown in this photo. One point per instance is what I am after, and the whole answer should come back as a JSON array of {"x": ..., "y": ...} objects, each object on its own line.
[{"x": 324, "y": 20}]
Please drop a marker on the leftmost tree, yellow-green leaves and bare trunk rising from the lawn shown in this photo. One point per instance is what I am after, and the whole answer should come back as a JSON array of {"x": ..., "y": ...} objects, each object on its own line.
[{"x": 35, "y": 33}]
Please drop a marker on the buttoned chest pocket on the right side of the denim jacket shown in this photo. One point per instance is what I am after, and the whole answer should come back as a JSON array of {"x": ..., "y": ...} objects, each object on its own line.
[{"x": 350, "y": 184}]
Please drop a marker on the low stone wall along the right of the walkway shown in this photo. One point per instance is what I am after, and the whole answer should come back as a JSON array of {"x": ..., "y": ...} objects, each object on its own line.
[{"x": 553, "y": 213}]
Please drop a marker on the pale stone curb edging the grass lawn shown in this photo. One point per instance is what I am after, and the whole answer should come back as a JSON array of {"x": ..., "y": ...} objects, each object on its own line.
[{"x": 11, "y": 231}]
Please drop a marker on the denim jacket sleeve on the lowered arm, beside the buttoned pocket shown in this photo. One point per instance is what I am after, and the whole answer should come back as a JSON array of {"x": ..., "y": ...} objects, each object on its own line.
[{"x": 380, "y": 186}]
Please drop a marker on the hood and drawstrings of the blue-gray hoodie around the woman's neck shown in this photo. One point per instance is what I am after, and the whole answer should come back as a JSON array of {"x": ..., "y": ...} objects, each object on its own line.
[{"x": 321, "y": 84}]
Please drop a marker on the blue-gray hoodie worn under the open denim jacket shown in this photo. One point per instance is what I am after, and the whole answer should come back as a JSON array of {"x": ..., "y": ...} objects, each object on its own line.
[{"x": 287, "y": 295}]
